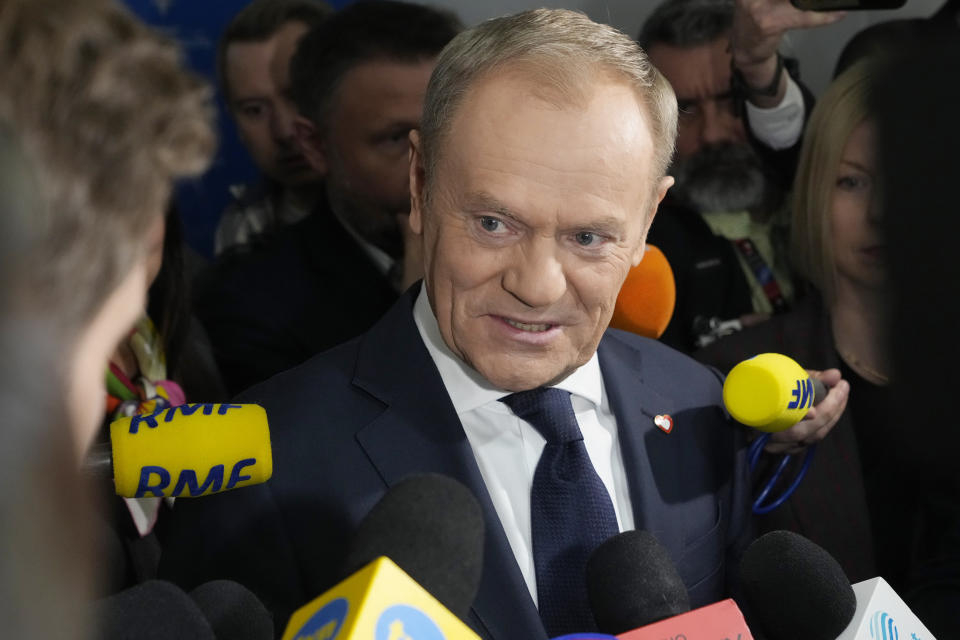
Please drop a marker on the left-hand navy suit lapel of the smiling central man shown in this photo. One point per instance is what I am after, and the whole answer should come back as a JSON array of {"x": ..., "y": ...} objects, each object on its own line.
[{"x": 419, "y": 431}]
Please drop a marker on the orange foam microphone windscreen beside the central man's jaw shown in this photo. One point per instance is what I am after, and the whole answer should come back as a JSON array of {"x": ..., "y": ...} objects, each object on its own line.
[{"x": 647, "y": 297}]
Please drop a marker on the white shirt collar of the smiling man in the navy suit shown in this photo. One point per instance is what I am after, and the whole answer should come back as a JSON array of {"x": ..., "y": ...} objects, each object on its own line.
[{"x": 469, "y": 390}]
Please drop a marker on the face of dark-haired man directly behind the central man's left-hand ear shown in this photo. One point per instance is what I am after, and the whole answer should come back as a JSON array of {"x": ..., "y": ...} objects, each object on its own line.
[{"x": 365, "y": 146}]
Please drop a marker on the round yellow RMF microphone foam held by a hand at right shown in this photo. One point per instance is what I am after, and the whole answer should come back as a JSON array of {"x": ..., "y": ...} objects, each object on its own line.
[{"x": 770, "y": 392}]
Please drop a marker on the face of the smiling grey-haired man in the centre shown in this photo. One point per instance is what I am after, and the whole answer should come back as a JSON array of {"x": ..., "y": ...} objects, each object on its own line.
[{"x": 536, "y": 213}]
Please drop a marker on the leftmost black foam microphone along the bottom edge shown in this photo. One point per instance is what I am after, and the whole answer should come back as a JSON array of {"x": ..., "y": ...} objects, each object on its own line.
[{"x": 152, "y": 610}]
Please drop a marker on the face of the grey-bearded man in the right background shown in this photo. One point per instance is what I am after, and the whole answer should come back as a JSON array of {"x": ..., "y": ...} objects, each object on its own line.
[{"x": 715, "y": 167}]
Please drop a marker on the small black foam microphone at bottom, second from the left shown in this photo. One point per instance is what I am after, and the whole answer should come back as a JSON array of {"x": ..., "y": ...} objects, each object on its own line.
[{"x": 233, "y": 611}]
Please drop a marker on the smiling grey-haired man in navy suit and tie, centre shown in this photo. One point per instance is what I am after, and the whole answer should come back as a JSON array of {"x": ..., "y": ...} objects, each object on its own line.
[{"x": 534, "y": 177}]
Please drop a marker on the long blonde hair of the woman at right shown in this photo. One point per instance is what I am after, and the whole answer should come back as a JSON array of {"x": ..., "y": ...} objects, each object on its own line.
[{"x": 844, "y": 106}]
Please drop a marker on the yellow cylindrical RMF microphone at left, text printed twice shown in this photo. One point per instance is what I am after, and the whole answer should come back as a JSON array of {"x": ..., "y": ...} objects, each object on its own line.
[{"x": 187, "y": 451}]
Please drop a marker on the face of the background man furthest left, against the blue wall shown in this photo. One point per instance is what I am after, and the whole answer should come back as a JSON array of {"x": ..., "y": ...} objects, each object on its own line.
[{"x": 258, "y": 79}]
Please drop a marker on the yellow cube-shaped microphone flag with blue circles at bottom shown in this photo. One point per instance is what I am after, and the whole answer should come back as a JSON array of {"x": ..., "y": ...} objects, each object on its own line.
[{"x": 378, "y": 601}]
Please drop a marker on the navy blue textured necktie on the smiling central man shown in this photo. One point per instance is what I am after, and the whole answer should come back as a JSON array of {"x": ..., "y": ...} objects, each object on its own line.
[{"x": 571, "y": 511}]
